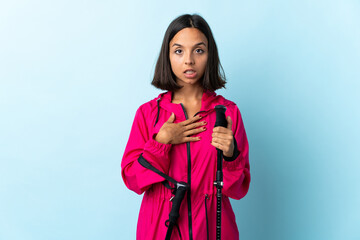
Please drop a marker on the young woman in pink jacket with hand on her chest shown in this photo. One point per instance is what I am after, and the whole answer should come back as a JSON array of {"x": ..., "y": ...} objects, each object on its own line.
[{"x": 173, "y": 136}]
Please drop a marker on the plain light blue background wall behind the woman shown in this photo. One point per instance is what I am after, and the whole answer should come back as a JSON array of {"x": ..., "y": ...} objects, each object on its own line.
[{"x": 73, "y": 73}]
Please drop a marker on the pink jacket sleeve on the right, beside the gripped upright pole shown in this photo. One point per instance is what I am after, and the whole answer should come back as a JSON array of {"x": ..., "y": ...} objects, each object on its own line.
[{"x": 236, "y": 174}]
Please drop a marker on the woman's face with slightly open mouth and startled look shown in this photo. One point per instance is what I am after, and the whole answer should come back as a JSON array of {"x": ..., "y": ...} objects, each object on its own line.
[{"x": 188, "y": 50}]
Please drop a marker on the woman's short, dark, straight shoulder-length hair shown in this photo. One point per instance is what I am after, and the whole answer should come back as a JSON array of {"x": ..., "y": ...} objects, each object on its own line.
[{"x": 164, "y": 77}]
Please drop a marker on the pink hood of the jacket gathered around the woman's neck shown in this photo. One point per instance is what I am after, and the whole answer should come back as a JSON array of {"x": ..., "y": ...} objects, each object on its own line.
[{"x": 208, "y": 102}]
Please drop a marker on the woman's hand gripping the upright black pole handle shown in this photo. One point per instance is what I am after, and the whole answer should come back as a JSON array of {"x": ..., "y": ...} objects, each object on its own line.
[{"x": 222, "y": 138}]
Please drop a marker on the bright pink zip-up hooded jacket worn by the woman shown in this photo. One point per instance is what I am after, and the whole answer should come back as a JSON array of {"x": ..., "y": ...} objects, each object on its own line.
[{"x": 194, "y": 163}]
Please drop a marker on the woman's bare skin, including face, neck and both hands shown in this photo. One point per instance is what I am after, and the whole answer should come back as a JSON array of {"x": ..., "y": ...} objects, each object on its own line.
[{"x": 185, "y": 52}]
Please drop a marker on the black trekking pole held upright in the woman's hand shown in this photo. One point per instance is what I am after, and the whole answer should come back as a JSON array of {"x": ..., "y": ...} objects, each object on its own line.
[{"x": 220, "y": 121}]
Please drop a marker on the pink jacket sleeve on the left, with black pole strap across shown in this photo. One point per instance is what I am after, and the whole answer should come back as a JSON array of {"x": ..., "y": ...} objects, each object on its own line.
[{"x": 136, "y": 177}]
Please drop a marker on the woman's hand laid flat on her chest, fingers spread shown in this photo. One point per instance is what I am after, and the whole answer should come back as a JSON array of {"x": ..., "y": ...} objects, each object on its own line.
[{"x": 175, "y": 133}]
